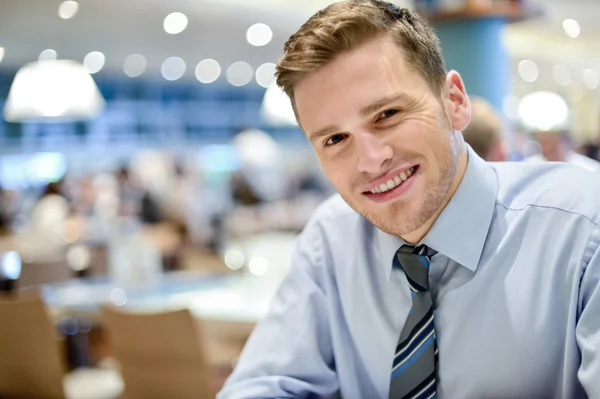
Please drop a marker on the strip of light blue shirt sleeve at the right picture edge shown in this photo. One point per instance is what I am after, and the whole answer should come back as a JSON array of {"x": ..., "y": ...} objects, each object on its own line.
[{"x": 588, "y": 326}]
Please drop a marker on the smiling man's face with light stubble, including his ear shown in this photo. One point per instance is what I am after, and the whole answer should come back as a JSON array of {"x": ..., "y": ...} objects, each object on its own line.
[{"x": 387, "y": 143}]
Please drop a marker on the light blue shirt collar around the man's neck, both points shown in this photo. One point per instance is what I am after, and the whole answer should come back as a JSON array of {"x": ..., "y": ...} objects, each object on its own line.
[{"x": 461, "y": 229}]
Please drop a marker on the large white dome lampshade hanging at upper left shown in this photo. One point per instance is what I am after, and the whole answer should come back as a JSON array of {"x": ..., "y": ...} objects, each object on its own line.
[{"x": 53, "y": 90}]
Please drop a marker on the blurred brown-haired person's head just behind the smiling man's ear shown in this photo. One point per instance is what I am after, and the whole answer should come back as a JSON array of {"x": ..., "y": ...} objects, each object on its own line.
[{"x": 484, "y": 133}]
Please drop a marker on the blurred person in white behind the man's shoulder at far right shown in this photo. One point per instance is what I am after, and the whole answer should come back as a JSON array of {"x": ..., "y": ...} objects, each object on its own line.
[{"x": 557, "y": 146}]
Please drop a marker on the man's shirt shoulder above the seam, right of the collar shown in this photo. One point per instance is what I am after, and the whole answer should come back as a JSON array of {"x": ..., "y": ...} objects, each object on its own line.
[{"x": 567, "y": 187}]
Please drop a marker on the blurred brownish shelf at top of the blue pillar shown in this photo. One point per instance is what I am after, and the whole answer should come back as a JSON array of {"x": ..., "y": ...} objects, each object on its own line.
[{"x": 510, "y": 10}]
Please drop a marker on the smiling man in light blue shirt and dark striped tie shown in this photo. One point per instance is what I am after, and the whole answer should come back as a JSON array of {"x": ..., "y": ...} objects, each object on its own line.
[{"x": 433, "y": 273}]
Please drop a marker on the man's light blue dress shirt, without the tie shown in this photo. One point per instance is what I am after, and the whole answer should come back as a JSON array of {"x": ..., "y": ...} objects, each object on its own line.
[{"x": 515, "y": 283}]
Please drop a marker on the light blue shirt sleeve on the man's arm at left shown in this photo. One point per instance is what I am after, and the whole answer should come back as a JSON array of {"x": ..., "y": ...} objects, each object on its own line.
[{"x": 289, "y": 354}]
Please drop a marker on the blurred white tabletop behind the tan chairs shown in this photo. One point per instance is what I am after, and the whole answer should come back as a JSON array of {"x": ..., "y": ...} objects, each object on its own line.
[{"x": 230, "y": 298}]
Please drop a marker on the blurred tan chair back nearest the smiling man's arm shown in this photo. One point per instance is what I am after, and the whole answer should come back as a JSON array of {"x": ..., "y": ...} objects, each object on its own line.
[{"x": 161, "y": 354}]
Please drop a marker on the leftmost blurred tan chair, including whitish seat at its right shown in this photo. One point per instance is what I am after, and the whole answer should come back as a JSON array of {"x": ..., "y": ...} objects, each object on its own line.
[{"x": 31, "y": 365}]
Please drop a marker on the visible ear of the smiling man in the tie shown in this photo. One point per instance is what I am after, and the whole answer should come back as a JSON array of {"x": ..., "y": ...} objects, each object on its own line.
[{"x": 456, "y": 101}]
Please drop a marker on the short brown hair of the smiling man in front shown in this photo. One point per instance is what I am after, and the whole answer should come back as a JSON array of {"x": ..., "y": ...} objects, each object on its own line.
[{"x": 346, "y": 25}]
